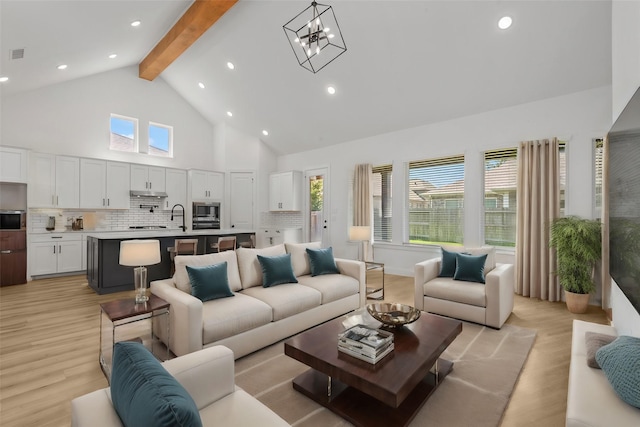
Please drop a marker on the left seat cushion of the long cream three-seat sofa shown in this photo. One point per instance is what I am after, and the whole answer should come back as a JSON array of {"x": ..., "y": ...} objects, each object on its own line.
[{"x": 226, "y": 317}]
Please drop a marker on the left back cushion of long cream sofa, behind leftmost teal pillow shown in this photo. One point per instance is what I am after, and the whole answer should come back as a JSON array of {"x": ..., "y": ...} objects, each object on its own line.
[{"x": 181, "y": 277}]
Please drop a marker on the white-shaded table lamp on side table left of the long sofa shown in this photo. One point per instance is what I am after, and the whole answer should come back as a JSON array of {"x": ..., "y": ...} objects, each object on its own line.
[{"x": 139, "y": 254}]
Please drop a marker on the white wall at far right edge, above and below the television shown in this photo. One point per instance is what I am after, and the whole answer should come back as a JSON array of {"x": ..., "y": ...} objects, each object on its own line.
[{"x": 625, "y": 62}]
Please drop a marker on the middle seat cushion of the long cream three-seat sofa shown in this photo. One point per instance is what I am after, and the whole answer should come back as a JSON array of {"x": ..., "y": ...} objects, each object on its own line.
[{"x": 286, "y": 299}]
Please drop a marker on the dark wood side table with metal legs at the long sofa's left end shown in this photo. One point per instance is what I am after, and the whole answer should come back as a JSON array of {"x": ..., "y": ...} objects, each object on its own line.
[{"x": 116, "y": 314}]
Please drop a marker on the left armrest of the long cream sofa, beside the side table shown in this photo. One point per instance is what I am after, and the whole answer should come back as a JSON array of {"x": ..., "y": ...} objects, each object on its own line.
[{"x": 185, "y": 315}]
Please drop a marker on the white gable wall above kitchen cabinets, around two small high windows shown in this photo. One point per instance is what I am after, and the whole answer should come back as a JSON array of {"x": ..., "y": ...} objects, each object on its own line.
[{"x": 73, "y": 118}]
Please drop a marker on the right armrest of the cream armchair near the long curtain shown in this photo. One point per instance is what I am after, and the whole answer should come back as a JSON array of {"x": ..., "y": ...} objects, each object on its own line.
[{"x": 500, "y": 287}]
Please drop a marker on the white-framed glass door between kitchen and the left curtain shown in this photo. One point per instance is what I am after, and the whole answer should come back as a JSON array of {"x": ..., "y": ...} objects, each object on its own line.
[{"x": 317, "y": 206}]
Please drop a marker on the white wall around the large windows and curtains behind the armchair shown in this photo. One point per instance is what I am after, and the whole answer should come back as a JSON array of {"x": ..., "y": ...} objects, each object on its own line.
[{"x": 576, "y": 118}]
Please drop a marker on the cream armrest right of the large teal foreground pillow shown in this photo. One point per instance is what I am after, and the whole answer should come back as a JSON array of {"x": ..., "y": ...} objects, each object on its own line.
[{"x": 207, "y": 375}]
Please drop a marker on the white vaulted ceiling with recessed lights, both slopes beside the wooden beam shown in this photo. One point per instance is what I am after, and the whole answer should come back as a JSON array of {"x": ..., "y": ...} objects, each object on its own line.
[{"x": 408, "y": 63}]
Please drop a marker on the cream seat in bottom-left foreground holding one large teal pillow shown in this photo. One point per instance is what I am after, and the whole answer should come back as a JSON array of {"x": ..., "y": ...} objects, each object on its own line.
[{"x": 208, "y": 377}]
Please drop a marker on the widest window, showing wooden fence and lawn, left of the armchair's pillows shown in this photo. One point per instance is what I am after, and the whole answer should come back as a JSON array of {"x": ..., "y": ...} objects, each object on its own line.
[{"x": 436, "y": 196}]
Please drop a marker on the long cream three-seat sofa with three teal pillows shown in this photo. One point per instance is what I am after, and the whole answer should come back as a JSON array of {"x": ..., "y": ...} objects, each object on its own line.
[{"x": 256, "y": 316}]
